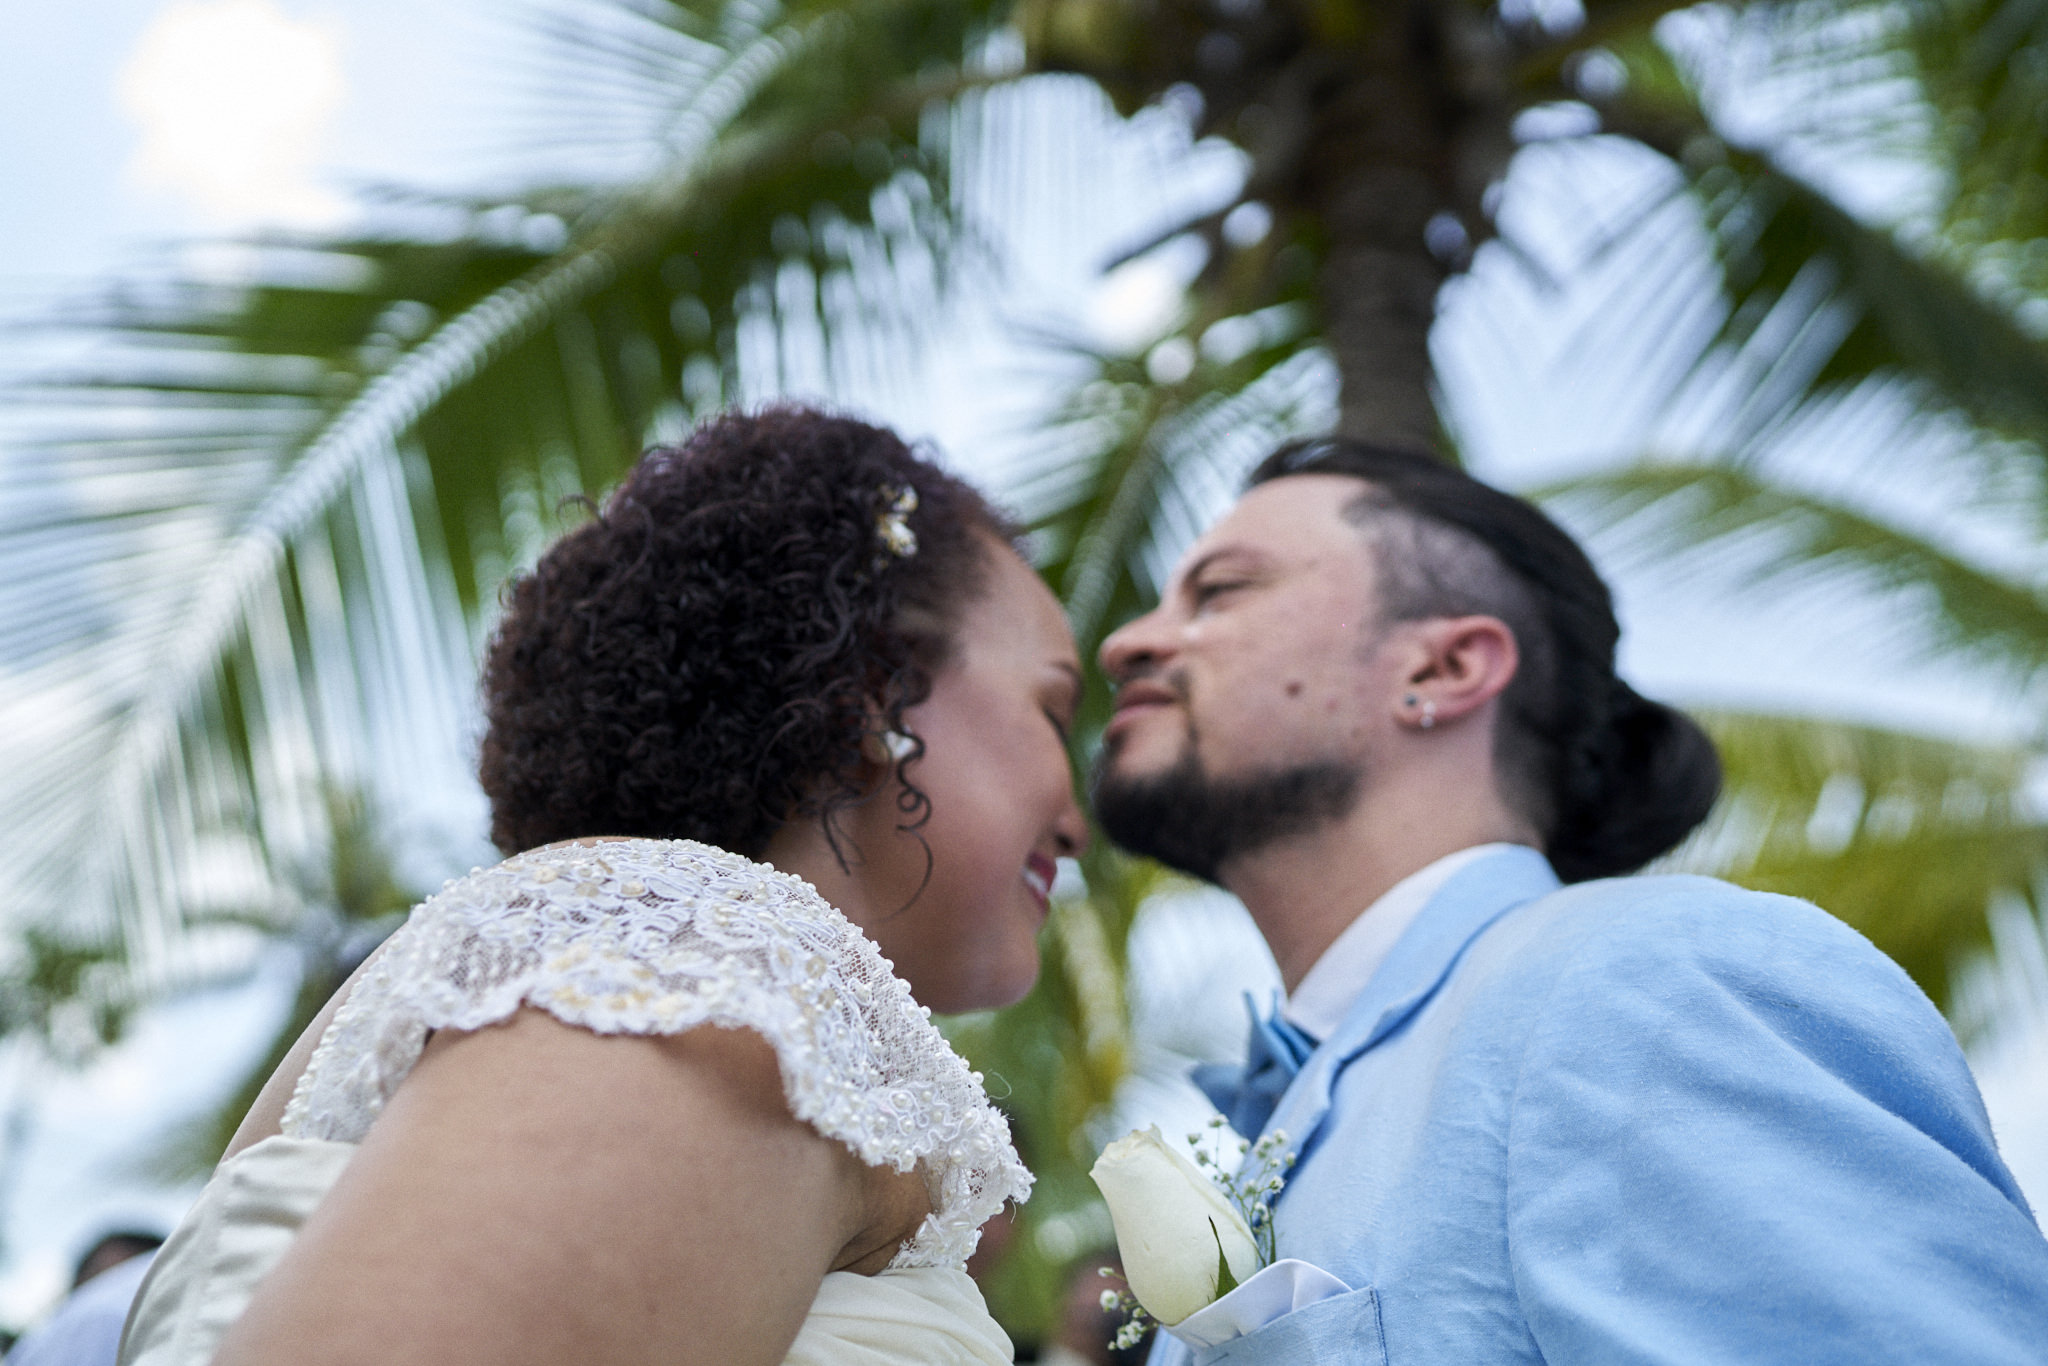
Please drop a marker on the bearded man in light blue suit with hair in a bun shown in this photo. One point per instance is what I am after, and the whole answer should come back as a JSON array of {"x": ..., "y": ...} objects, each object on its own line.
[{"x": 1539, "y": 1115}]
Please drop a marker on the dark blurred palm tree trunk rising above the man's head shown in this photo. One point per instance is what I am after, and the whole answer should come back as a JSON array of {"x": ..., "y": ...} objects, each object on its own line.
[{"x": 1375, "y": 132}]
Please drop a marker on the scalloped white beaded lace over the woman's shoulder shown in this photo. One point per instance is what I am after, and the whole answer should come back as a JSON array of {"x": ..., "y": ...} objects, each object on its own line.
[{"x": 656, "y": 937}]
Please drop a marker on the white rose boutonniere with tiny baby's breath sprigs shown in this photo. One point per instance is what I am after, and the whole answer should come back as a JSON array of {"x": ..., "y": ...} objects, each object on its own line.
[{"x": 1189, "y": 1232}]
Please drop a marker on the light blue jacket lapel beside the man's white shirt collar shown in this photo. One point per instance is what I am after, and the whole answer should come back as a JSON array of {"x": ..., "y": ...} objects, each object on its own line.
[{"x": 1412, "y": 974}]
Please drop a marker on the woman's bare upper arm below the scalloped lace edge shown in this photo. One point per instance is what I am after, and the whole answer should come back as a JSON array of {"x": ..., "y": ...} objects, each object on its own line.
[{"x": 572, "y": 1197}]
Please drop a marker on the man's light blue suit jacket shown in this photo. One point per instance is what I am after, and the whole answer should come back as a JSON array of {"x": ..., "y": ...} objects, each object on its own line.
[{"x": 1650, "y": 1119}]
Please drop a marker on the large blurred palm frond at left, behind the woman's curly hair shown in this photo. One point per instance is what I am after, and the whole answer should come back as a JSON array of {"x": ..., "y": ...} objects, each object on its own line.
[{"x": 300, "y": 482}]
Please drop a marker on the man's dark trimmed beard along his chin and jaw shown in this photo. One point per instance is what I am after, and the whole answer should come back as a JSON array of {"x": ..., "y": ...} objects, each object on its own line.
[{"x": 1193, "y": 822}]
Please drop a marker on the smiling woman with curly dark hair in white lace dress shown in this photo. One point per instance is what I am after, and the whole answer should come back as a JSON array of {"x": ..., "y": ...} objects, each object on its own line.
[{"x": 781, "y": 734}]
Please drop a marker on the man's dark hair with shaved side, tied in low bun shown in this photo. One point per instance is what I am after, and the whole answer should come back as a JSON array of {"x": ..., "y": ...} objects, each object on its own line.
[{"x": 1609, "y": 777}]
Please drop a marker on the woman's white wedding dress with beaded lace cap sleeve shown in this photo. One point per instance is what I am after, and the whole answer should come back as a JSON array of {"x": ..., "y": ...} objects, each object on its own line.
[{"x": 634, "y": 937}]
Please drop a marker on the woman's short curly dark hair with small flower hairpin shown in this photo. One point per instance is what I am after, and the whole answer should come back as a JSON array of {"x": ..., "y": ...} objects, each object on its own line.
[{"x": 706, "y": 656}]
